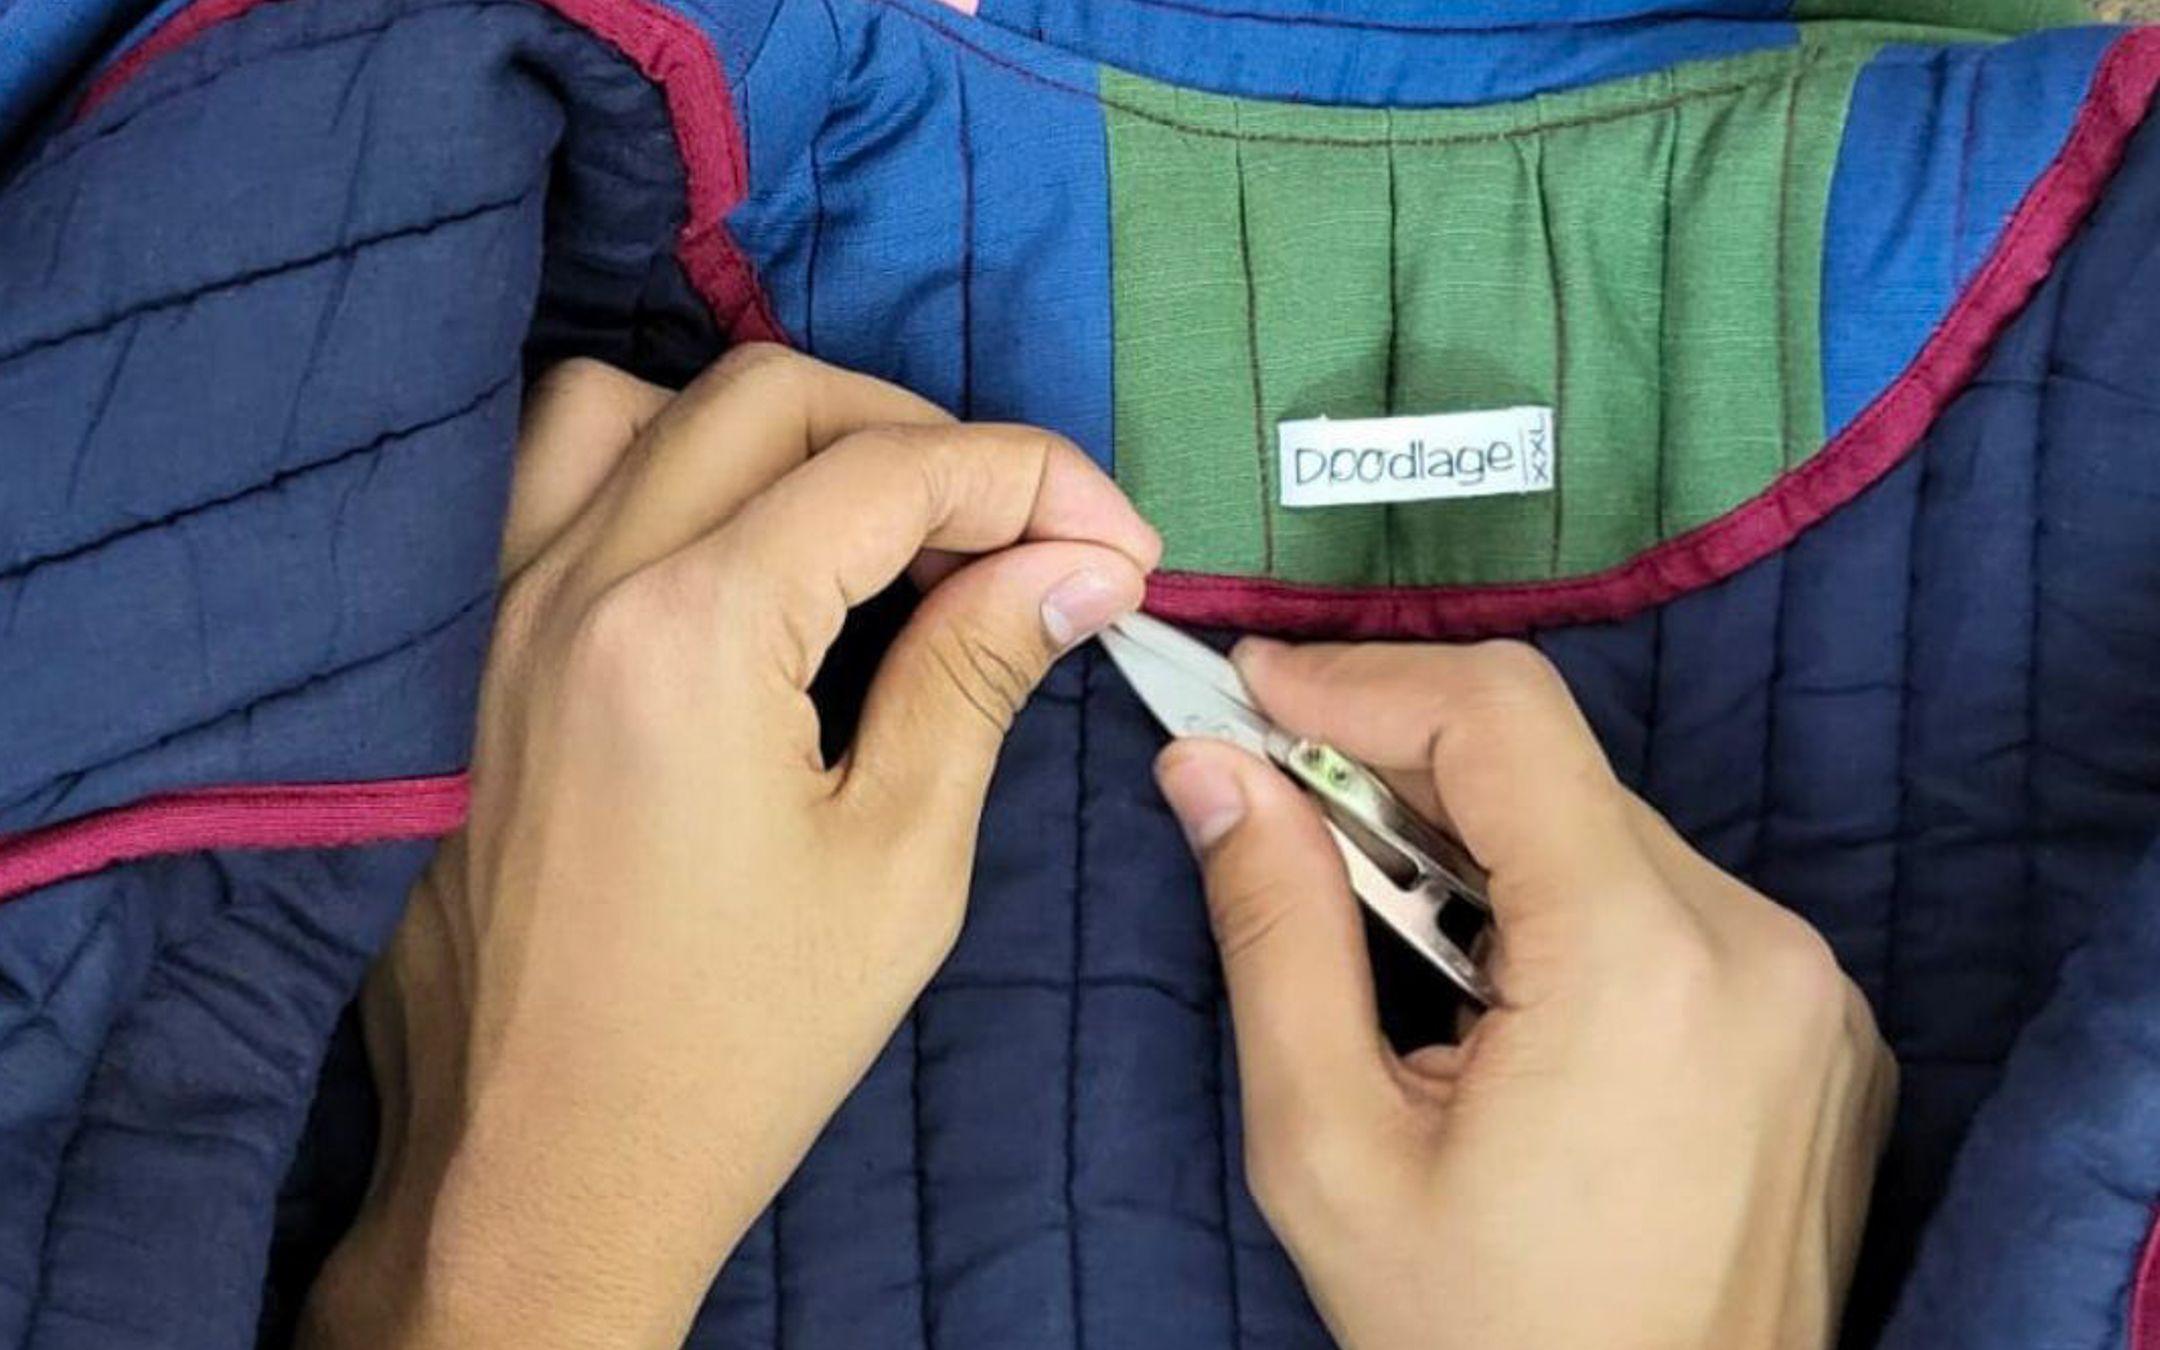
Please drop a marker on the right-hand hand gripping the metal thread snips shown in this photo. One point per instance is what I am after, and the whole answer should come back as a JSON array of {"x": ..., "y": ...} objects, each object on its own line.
[{"x": 1666, "y": 1135}]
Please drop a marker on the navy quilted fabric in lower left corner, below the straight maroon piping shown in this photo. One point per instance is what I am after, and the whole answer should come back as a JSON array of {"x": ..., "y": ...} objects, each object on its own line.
[{"x": 159, "y": 1077}]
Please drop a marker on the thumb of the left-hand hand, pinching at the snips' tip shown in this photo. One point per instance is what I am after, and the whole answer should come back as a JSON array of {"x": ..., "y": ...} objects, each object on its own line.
[{"x": 969, "y": 660}]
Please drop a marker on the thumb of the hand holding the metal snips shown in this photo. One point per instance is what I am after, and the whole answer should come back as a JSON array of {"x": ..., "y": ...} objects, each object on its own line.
[{"x": 1295, "y": 960}]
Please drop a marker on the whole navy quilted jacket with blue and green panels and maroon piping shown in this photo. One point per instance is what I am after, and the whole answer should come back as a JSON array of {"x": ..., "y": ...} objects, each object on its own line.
[{"x": 1848, "y": 312}]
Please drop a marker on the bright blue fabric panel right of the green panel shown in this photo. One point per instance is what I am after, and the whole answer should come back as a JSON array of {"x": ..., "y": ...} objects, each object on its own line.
[{"x": 1941, "y": 148}]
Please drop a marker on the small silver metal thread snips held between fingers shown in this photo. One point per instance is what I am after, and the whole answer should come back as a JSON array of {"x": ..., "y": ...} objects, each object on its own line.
[{"x": 1412, "y": 874}]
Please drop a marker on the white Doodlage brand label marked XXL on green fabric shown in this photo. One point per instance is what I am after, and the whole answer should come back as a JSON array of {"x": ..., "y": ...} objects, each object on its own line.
[{"x": 1418, "y": 459}]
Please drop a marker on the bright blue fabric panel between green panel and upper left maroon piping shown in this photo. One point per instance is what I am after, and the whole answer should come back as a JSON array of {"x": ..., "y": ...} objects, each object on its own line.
[{"x": 941, "y": 252}]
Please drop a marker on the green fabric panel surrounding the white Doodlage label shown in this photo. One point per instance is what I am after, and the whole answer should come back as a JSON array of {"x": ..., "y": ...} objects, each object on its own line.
[{"x": 1643, "y": 256}]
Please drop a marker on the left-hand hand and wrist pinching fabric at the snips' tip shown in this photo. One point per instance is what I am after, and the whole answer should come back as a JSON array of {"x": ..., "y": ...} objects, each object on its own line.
[{"x": 671, "y": 941}]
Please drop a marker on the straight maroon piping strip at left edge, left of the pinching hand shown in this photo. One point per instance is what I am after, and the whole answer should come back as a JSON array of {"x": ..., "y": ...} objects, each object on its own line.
[{"x": 319, "y": 815}]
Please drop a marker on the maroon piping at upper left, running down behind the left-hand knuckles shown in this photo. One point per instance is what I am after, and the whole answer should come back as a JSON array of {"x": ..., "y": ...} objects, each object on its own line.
[{"x": 675, "y": 55}]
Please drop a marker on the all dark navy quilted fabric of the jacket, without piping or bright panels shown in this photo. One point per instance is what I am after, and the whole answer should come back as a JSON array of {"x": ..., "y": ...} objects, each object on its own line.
[{"x": 265, "y": 319}]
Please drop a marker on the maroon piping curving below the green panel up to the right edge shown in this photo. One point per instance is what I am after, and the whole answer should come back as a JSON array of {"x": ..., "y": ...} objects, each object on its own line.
[{"x": 1857, "y": 459}]
